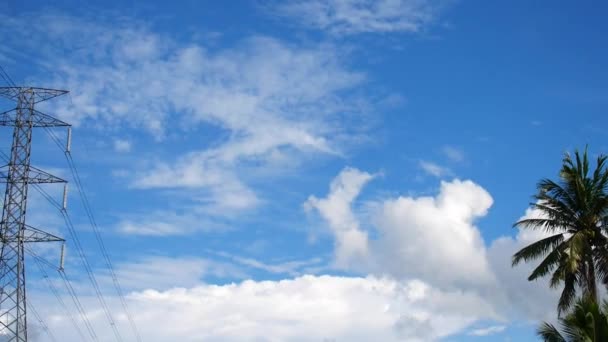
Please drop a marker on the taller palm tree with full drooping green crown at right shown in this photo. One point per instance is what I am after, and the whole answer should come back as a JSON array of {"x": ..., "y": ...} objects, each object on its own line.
[{"x": 575, "y": 212}]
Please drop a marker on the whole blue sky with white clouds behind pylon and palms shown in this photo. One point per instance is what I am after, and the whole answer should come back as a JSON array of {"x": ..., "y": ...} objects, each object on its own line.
[{"x": 317, "y": 170}]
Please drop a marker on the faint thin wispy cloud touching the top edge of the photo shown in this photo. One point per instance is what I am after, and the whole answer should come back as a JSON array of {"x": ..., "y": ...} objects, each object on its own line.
[{"x": 346, "y": 17}]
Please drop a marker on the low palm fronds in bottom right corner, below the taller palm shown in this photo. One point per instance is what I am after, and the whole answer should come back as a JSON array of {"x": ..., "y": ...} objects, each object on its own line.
[{"x": 587, "y": 322}]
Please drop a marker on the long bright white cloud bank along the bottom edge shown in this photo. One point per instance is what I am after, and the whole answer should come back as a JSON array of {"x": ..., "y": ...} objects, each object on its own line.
[{"x": 307, "y": 308}]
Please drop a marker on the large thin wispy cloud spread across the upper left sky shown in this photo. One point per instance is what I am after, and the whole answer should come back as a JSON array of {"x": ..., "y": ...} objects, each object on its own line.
[{"x": 270, "y": 103}]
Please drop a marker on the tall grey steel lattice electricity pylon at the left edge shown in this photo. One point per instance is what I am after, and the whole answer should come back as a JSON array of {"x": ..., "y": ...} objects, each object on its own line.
[{"x": 14, "y": 232}]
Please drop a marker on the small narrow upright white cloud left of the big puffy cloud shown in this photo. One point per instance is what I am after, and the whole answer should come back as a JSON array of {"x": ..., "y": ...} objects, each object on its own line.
[{"x": 351, "y": 241}]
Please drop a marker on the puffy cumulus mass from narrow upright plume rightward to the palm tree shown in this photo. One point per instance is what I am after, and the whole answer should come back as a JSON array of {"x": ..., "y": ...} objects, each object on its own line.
[{"x": 435, "y": 239}]
